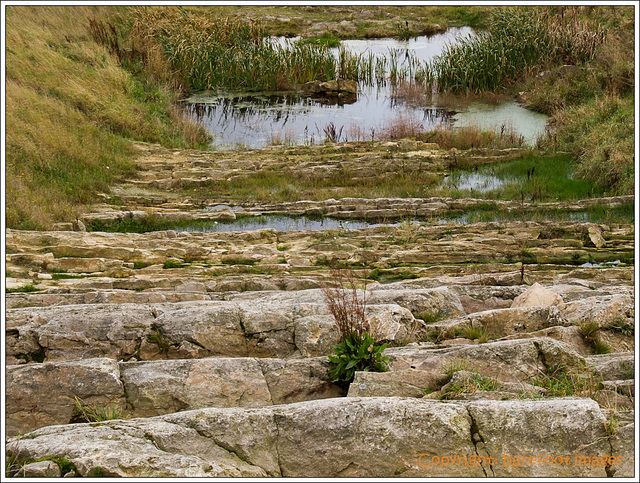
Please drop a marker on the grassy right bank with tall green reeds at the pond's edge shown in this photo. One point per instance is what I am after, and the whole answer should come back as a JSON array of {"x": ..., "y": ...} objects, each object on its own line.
[{"x": 573, "y": 63}]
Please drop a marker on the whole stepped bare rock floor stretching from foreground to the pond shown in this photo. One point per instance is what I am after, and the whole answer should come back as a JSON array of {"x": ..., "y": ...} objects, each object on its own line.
[{"x": 211, "y": 348}]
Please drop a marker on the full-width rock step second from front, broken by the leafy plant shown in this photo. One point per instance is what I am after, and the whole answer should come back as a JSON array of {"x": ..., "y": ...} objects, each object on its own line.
[{"x": 43, "y": 394}]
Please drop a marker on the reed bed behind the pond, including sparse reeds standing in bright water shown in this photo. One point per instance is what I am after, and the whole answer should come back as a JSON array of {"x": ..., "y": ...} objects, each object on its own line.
[{"x": 209, "y": 53}]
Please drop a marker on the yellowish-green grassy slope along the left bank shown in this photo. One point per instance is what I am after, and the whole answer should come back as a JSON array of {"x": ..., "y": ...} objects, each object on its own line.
[{"x": 71, "y": 112}]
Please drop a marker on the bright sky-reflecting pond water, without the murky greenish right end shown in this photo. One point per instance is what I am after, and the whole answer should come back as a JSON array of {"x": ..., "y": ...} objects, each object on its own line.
[{"x": 258, "y": 119}]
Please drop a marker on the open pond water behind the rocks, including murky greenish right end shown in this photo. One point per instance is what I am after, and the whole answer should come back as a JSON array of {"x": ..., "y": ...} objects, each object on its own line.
[{"x": 257, "y": 119}]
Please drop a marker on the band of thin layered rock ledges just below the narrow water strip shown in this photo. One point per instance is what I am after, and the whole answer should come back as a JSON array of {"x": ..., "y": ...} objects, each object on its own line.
[{"x": 380, "y": 247}]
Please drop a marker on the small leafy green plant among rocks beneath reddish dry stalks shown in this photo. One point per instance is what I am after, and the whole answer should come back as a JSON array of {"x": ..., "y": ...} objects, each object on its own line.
[{"x": 358, "y": 352}]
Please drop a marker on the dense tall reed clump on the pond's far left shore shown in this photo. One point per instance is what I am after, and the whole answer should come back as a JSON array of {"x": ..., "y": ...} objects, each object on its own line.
[{"x": 211, "y": 52}]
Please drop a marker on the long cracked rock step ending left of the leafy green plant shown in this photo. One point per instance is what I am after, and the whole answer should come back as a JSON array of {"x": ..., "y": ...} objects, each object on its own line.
[{"x": 40, "y": 395}]
